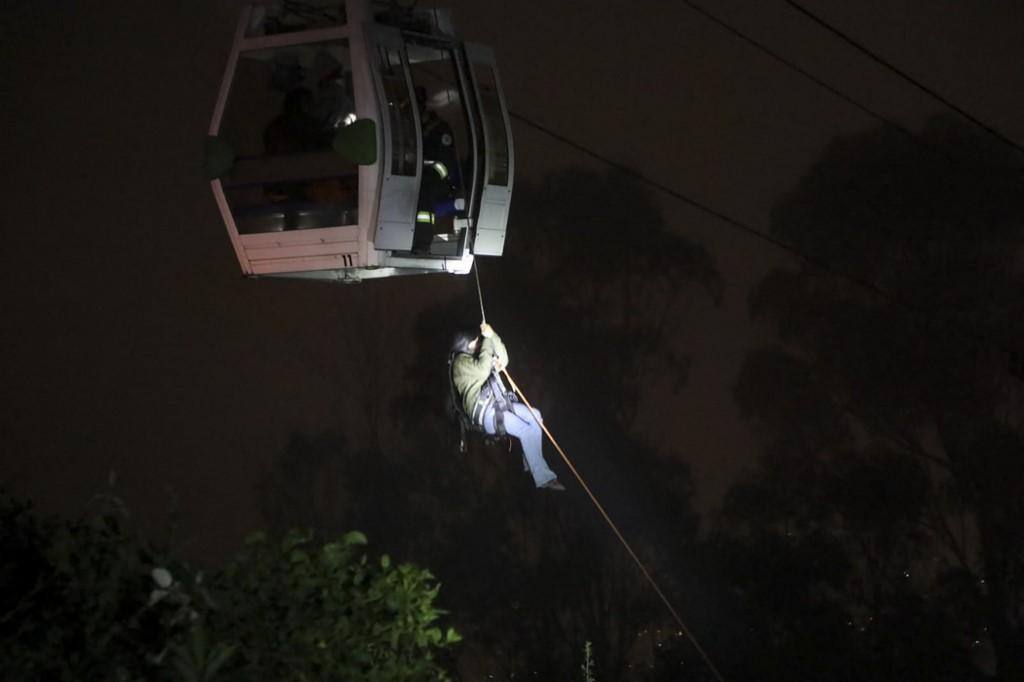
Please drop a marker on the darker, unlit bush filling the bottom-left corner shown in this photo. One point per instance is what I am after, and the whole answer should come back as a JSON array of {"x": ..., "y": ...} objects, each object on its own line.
[{"x": 82, "y": 602}]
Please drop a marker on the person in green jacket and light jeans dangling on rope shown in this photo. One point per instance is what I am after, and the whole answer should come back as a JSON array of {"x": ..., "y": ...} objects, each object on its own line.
[{"x": 476, "y": 365}]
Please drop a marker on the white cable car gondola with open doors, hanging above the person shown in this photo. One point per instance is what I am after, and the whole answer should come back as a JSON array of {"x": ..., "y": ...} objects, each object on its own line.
[{"x": 356, "y": 140}]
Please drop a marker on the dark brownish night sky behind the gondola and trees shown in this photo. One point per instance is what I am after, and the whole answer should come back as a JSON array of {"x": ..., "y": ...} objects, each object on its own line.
[{"x": 133, "y": 344}]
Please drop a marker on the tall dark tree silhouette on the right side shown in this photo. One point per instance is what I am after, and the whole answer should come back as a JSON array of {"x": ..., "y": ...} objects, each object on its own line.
[{"x": 888, "y": 508}]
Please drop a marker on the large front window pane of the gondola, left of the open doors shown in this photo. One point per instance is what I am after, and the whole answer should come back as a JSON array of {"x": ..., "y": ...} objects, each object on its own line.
[{"x": 285, "y": 107}]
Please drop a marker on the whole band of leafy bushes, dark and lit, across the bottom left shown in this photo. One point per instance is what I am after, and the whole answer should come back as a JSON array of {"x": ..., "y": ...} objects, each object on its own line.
[{"x": 94, "y": 600}]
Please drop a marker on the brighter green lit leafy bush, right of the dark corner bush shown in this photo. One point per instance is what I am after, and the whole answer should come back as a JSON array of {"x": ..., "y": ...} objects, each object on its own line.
[{"x": 335, "y": 614}]
